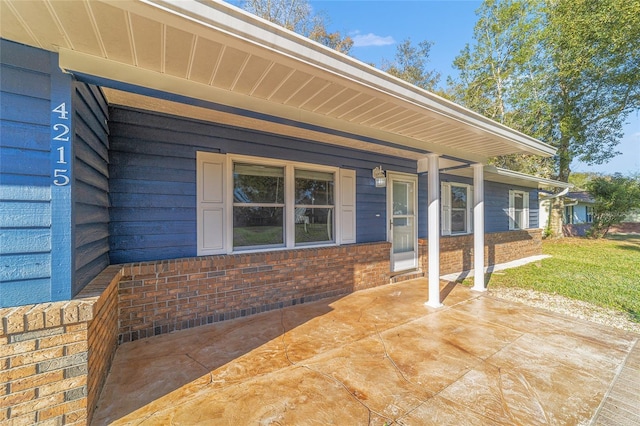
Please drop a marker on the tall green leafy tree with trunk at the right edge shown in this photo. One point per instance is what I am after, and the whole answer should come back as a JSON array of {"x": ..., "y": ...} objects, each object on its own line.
[{"x": 594, "y": 51}]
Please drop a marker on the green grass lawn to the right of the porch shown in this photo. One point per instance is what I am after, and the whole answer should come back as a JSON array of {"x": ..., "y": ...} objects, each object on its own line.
[{"x": 604, "y": 272}]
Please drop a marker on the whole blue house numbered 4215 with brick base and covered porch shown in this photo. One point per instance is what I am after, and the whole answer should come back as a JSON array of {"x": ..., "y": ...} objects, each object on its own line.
[{"x": 171, "y": 164}]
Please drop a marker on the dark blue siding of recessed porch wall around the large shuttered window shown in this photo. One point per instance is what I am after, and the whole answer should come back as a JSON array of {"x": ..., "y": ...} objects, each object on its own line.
[{"x": 152, "y": 179}]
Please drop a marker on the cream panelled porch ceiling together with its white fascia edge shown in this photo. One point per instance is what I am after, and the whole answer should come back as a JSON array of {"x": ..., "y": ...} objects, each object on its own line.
[{"x": 212, "y": 51}]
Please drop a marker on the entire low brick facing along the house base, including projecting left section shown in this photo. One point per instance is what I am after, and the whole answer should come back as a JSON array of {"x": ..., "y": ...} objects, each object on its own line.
[{"x": 54, "y": 357}]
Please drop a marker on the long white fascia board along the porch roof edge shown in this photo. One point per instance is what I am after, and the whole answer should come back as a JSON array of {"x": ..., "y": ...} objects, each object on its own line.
[{"x": 238, "y": 23}]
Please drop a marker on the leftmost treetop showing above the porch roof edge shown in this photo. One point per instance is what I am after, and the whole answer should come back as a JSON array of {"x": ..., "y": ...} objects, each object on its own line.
[{"x": 298, "y": 16}]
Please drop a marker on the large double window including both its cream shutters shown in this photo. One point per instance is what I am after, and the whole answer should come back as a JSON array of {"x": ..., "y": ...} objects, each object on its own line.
[{"x": 250, "y": 203}]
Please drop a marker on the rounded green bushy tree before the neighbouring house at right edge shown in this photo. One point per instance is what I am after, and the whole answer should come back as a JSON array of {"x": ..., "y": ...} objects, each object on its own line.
[{"x": 615, "y": 197}]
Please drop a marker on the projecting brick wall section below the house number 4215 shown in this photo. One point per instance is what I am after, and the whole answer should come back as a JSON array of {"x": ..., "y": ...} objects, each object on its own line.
[{"x": 54, "y": 357}]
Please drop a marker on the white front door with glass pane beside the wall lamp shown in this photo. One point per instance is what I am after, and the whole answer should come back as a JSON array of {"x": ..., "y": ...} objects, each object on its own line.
[{"x": 402, "y": 201}]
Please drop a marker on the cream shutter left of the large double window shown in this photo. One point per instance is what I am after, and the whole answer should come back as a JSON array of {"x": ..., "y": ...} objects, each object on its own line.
[{"x": 211, "y": 189}]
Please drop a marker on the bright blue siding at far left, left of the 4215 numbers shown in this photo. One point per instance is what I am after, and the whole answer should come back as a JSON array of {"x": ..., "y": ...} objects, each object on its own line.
[{"x": 25, "y": 186}]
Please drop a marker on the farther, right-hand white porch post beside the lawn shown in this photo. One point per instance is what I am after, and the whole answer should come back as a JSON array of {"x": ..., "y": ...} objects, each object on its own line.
[{"x": 478, "y": 227}]
